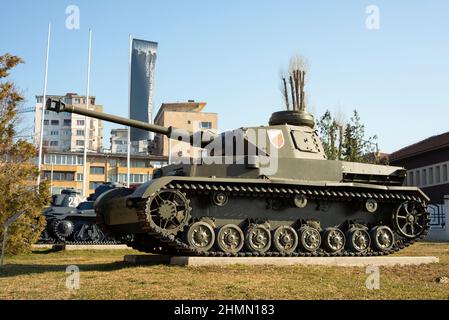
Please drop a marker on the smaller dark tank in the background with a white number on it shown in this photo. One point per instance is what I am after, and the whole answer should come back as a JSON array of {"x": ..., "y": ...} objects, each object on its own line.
[{"x": 71, "y": 220}]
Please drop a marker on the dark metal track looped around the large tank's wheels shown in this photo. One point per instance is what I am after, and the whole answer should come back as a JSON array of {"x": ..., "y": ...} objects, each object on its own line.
[{"x": 171, "y": 243}]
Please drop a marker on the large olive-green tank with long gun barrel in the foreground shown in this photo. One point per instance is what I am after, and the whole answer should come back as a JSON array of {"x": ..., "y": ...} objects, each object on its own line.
[{"x": 263, "y": 191}]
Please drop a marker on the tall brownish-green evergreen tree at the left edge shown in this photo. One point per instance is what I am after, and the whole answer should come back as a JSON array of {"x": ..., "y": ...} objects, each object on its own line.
[{"x": 18, "y": 172}]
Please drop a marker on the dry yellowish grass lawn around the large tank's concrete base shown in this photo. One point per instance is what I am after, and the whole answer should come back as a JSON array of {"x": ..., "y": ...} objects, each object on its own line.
[{"x": 41, "y": 275}]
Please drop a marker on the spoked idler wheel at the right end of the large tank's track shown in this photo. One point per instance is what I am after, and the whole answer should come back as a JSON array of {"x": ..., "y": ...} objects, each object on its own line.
[{"x": 410, "y": 218}]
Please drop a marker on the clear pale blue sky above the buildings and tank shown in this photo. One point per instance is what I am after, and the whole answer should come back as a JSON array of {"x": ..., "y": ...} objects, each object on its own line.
[{"x": 229, "y": 53}]
